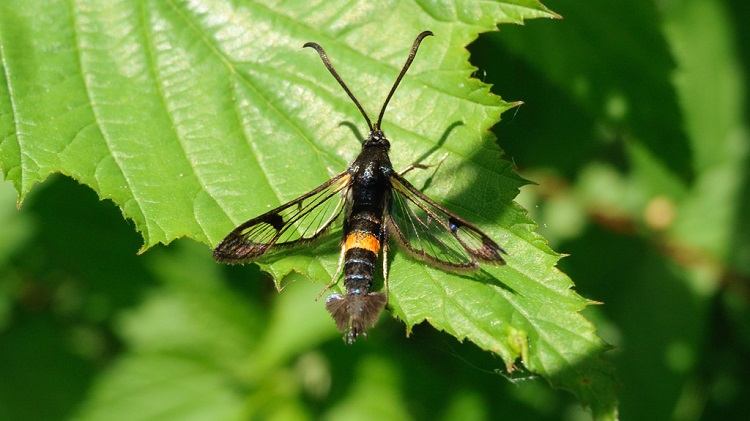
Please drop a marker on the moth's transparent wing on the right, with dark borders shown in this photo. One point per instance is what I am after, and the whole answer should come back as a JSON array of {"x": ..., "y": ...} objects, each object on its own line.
[{"x": 433, "y": 234}]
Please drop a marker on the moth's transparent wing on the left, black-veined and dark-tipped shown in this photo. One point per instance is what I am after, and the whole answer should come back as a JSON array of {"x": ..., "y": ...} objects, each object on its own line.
[{"x": 302, "y": 220}]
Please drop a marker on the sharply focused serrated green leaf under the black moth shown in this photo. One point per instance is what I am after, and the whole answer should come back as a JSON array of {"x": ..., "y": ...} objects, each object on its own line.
[{"x": 194, "y": 116}]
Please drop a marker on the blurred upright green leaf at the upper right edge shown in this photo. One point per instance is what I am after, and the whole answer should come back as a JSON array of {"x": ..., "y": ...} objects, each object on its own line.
[{"x": 717, "y": 123}]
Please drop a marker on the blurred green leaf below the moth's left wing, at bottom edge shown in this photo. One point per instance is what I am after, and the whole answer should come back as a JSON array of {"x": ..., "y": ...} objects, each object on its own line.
[{"x": 195, "y": 346}]
